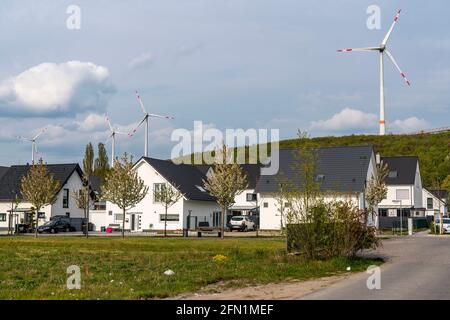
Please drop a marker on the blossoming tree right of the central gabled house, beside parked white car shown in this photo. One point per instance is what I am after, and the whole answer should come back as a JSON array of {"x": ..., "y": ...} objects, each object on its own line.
[{"x": 226, "y": 181}]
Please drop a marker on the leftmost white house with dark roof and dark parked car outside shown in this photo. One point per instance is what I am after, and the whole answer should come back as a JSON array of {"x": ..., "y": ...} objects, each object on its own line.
[{"x": 69, "y": 177}]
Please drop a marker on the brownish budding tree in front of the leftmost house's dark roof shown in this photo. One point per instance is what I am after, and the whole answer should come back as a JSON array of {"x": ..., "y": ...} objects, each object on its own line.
[{"x": 40, "y": 188}]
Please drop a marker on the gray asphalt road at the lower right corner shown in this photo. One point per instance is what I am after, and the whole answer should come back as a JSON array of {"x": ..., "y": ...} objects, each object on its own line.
[{"x": 418, "y": 267}]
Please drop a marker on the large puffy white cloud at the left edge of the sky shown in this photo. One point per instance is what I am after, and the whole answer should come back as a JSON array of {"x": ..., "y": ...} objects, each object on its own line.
[{"x": 51, "y": 89}]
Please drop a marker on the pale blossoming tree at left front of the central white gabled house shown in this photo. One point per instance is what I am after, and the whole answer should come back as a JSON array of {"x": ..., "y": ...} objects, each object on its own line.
[{"x": 123, "y": 187}]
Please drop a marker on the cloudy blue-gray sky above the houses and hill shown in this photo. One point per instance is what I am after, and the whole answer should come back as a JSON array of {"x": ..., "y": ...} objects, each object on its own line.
[{"x": 230, "y": 64}]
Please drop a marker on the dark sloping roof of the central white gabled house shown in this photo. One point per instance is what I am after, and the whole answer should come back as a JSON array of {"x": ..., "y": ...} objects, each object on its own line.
[{"x": 187, "y": 178}]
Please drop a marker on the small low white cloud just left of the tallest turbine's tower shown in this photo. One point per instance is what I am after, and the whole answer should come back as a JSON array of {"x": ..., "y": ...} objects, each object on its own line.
[{"x": 347, "y": 119}]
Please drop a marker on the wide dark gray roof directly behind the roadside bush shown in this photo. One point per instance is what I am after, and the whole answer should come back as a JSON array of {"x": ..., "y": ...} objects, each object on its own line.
[{"x": 344, "y": 169}]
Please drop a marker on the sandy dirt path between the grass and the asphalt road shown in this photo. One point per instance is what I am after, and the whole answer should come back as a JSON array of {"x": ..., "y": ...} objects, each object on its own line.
[{"x": 275, "y": 291}]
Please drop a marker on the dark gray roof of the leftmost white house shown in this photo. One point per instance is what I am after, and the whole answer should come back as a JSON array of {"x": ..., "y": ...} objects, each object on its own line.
[{"x": 11, "y": 180}]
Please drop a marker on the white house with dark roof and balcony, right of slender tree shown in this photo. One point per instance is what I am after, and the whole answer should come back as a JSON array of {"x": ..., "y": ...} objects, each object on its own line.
[{"x": 405, "y": 190}]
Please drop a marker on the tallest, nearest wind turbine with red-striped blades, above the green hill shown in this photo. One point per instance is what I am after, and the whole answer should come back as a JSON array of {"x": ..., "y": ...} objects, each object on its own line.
[{"x": 382, "y": 49}]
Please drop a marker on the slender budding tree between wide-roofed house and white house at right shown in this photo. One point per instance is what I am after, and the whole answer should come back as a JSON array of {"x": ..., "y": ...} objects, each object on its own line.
[{"x": 376, "y": 190}]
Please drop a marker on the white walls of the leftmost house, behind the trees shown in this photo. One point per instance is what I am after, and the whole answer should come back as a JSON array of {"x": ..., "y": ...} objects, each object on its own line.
[{"x": 73, "y": 184}]
